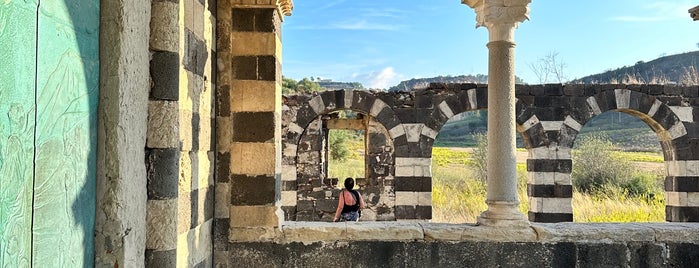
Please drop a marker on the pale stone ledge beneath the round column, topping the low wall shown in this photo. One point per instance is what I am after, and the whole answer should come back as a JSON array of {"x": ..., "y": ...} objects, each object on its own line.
[{"x": 310, "y": 232}]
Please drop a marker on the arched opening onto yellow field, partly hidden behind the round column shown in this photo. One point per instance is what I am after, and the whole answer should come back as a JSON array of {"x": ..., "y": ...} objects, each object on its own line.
[{"x": 459, "y": 160}]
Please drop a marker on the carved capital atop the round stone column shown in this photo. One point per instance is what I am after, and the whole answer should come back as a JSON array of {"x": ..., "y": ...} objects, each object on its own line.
[{"x": 492, "y": 12}]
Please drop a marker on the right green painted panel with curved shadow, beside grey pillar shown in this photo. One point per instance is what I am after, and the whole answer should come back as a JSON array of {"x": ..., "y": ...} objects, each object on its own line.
[{"x": 66, "y": 136}]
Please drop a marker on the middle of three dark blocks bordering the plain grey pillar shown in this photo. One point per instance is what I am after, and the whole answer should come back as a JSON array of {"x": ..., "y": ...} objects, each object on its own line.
[{"x": 162, "y": 167}]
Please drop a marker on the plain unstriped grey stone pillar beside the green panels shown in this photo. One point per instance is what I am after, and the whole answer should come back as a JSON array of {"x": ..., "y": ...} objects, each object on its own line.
[{"x": 120, "y": 218}]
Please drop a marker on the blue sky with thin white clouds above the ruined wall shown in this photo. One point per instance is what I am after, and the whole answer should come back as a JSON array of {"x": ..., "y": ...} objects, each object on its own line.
[{"x": 382, "y": 42}]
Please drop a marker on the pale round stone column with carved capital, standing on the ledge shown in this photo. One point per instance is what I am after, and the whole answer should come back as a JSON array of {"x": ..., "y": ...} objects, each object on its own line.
[{"x": 501, "y": 18}]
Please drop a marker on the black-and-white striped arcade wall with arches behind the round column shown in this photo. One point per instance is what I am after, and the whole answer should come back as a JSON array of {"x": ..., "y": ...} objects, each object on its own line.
[{"x": 549, "y": 118}]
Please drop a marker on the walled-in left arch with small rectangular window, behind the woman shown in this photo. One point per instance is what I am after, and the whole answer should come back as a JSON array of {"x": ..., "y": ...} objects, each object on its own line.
[{"x": 335, "y": 145}]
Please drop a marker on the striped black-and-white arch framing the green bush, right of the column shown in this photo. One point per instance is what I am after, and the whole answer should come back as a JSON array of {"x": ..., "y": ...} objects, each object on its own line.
[{"x": 550, "y": 160}]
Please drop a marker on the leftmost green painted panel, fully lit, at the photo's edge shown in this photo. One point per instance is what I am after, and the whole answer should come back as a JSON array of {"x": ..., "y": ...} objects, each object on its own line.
[{"x": 17, "y": 91}]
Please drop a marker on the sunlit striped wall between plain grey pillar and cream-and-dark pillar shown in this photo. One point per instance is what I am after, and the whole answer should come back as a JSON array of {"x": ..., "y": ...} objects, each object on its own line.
[{"x": 179, "y": 147}]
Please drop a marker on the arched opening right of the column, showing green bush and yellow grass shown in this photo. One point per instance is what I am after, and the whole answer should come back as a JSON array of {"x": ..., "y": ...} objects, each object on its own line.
[{"x": 618, "y": 170}]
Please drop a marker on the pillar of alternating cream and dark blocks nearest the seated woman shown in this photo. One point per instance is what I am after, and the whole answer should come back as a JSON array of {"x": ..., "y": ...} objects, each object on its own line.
[{"x": 248, "y": 179}]
